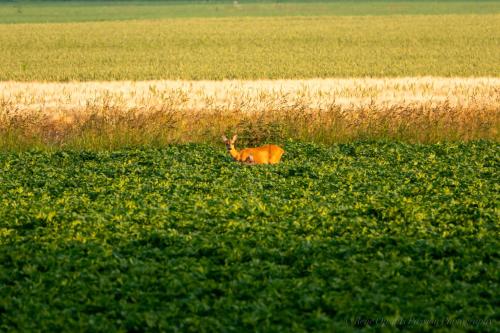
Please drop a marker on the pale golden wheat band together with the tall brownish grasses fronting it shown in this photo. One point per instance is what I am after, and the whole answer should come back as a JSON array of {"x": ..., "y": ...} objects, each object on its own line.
[{"x": 107, "y": 114}]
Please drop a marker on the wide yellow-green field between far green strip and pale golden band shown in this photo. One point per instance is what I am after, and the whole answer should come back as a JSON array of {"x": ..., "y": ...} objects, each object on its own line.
[{"x": 253, "y": 48}]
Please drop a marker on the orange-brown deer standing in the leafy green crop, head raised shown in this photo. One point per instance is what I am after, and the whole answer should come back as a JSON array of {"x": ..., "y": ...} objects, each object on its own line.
[{"x": 267, "y": 154}]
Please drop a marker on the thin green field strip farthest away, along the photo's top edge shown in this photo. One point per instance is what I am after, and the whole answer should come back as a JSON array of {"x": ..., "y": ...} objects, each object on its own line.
[{"x": 79, "y": 11}]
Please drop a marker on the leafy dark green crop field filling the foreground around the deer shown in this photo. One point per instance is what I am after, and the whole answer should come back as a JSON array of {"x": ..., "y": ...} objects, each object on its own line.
[{"x": 182, "y": 238}]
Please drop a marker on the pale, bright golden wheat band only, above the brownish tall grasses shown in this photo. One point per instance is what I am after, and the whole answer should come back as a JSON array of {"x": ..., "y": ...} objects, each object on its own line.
[{"x": 251, "y": 96}]
